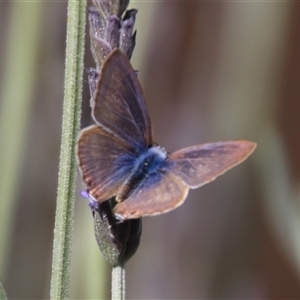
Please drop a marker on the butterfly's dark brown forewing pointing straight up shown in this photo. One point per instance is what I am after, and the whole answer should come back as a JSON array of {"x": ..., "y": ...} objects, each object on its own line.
[{"x": 118, "y": 104}]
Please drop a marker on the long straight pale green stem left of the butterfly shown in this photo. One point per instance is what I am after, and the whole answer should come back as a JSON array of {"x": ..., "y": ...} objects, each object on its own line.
[{"x": 67, "y": 167}]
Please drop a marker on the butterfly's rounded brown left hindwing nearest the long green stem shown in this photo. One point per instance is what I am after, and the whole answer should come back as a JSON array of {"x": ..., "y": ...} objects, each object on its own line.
[{"x": 103, "y": 161}]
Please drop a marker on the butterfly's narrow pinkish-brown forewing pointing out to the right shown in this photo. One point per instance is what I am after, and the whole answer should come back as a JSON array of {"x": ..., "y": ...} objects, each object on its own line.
[{"x": 198, "y": 165}]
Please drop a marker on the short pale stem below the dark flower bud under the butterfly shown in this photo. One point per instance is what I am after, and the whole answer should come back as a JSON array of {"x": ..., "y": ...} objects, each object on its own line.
[{"x": 118, "y": 283}]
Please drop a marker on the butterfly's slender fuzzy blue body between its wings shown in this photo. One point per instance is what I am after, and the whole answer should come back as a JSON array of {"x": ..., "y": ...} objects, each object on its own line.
[{"x": 146, "y": 164}]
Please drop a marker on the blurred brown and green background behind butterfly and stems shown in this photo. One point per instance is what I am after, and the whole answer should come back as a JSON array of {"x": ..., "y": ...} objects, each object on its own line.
[{"x": 210, "y": 71}]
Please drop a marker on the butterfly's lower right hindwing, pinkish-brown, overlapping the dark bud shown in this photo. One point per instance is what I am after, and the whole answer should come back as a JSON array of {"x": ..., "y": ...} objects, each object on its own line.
[{"x": 159, "y": 193}]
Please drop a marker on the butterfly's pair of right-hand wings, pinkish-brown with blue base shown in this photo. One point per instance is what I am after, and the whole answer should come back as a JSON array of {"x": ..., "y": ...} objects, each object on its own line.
[{"x": 192, "y": 167}]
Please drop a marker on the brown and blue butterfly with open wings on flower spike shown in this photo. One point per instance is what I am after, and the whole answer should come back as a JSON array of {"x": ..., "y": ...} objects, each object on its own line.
[{"x": 118, "y": 158}]
